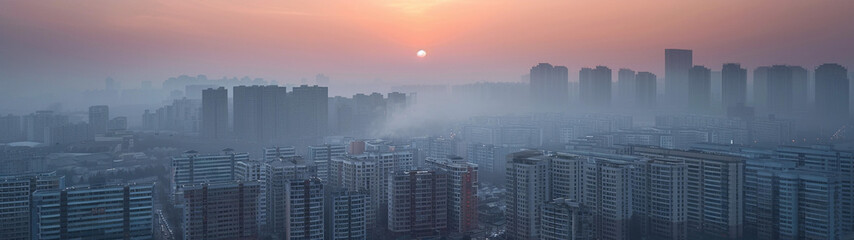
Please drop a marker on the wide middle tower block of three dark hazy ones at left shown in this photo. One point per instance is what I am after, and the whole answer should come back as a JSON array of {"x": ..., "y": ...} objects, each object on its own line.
[{"x": 260, "y": 113}]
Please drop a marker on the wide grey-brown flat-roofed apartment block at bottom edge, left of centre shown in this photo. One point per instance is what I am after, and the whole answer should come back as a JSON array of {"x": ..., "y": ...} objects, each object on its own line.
[{"x": 225, "y": 210}]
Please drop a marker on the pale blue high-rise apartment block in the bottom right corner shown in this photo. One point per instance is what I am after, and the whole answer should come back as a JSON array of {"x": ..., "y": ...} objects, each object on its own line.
[{"x": 798, "y": 204}]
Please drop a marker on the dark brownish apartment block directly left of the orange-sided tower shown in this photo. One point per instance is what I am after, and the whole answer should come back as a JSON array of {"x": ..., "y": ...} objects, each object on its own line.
[{"x": 418, "y": 204}]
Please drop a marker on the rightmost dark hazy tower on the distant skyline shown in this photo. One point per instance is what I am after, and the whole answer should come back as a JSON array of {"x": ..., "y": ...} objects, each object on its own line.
[{"x": 831, "y": 92}]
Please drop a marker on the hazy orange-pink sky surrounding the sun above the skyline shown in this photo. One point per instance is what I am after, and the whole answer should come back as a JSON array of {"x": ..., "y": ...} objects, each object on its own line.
[{"x": 360, "y": 41}]
